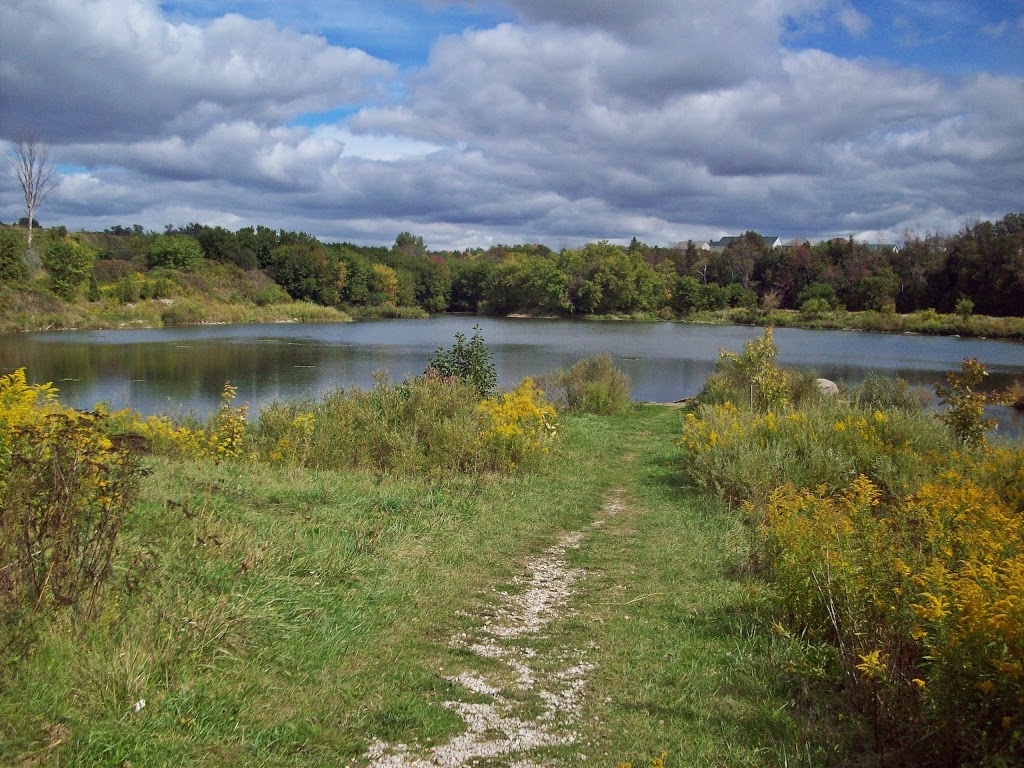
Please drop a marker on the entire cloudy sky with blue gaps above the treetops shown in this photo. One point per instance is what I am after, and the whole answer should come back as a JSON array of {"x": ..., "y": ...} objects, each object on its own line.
[{"x": 476, "y": 122}]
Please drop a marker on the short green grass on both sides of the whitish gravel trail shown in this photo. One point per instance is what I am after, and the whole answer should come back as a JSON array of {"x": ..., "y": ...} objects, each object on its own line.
[{"x": 285, "y": 617}]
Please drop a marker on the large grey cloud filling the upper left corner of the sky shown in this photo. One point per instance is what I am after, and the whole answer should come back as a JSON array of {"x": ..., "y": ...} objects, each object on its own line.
[{"x": 77, "y": 70}]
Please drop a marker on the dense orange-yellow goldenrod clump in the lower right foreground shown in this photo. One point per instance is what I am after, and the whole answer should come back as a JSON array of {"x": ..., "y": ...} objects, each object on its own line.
[{"x": 921, "y": 598}]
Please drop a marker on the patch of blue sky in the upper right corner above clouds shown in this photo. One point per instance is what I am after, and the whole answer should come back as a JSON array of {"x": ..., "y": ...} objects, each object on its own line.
[{"x": 947, "y": 37}]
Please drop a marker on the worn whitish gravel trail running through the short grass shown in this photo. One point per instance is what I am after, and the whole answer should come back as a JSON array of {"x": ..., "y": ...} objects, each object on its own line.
[{"x": 534, "y": 699}]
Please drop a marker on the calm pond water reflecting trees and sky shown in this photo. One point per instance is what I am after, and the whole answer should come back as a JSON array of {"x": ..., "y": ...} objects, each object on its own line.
[{"x": 185, "y": 370}]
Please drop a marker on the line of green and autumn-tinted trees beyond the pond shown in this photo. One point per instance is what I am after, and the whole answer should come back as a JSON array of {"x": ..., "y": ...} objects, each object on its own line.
[{"x": 979, "y": 270}]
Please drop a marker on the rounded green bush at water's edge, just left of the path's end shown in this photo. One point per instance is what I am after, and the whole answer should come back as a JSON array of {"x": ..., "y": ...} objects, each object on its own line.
[{"x": 591, "y": 387}]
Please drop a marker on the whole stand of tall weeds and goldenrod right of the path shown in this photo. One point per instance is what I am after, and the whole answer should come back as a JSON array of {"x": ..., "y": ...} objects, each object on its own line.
[{"x": 898, "y": 544}]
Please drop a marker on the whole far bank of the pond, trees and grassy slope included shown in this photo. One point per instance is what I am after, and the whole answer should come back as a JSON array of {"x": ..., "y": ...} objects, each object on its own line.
[{"x": 969, "y": 284}]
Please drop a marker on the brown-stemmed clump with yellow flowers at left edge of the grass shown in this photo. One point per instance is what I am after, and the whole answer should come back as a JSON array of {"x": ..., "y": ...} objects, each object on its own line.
[{"x": 65, "y": 490}]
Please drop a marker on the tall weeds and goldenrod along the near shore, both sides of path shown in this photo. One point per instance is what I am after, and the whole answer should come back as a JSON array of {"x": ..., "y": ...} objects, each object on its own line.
[{"x": 887, "y": 544}]
